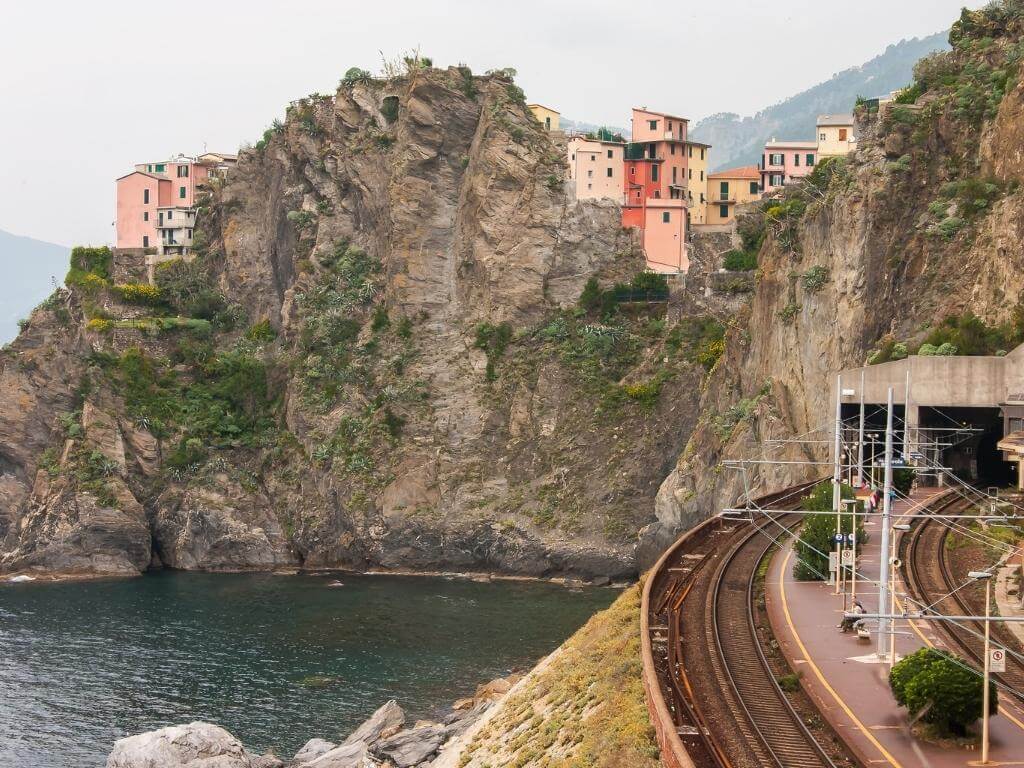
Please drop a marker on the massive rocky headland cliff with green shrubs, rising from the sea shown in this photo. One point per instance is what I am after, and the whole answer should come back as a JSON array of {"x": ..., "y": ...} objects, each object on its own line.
[{"x": 376, "y": 360}]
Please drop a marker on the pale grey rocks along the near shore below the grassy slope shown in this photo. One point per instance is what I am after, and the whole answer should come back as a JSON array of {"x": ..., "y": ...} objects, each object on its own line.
[{"x": 385, "y": 741}]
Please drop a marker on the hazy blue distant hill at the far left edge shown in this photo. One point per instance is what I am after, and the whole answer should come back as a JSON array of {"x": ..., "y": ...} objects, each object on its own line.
[{"x": 29, "y": 267}]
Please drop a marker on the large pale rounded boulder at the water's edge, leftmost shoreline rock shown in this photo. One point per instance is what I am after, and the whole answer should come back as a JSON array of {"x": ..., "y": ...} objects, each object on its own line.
[{"x": 198, "y": 745}]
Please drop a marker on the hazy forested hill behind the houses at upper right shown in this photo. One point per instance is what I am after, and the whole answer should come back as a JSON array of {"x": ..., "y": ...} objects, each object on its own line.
[{"x": 739, "y": 142}]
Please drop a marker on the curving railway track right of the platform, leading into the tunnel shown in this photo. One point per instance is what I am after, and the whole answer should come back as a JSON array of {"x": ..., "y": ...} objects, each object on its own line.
[{"x": 928, "y": 575}]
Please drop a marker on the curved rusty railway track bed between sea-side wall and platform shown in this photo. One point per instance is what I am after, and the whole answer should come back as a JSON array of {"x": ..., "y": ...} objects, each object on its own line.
[{"x": 713, "y": 697}]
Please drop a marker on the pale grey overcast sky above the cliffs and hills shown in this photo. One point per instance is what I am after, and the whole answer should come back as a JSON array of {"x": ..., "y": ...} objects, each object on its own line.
[{"x": 90, "y": 89}]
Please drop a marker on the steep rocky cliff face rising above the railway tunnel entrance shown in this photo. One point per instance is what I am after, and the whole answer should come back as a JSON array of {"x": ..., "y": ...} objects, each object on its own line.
[{"x": 924, "y": 224}]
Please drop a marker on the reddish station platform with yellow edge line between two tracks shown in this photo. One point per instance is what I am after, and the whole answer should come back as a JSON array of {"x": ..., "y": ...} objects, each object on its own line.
[{"x": 846, "y": 680}]
